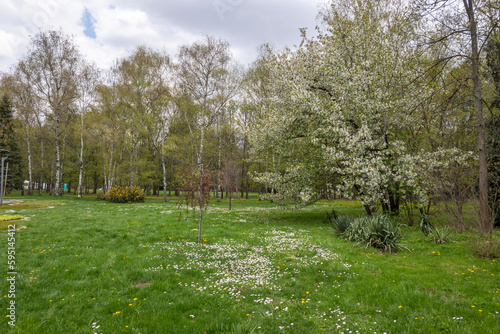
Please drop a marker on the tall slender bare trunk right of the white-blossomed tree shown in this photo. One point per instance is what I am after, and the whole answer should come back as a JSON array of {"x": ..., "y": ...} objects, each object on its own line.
[{"x": 484, "y": 224}]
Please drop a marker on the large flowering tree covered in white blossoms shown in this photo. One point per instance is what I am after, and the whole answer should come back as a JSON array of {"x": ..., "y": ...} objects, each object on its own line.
[{"x": 343, "y": 105}]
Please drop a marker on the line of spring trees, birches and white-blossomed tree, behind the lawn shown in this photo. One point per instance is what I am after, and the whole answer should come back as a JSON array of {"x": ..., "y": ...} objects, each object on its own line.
[{"x": 393, "y": 103}]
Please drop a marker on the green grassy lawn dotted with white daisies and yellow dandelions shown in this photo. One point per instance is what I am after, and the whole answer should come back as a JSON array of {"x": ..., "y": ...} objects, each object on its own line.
[{"x": 87, "y": 266}]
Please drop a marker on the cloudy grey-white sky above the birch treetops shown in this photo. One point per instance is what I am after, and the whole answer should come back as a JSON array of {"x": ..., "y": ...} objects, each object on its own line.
[{"x": 109, "y": 29}]
